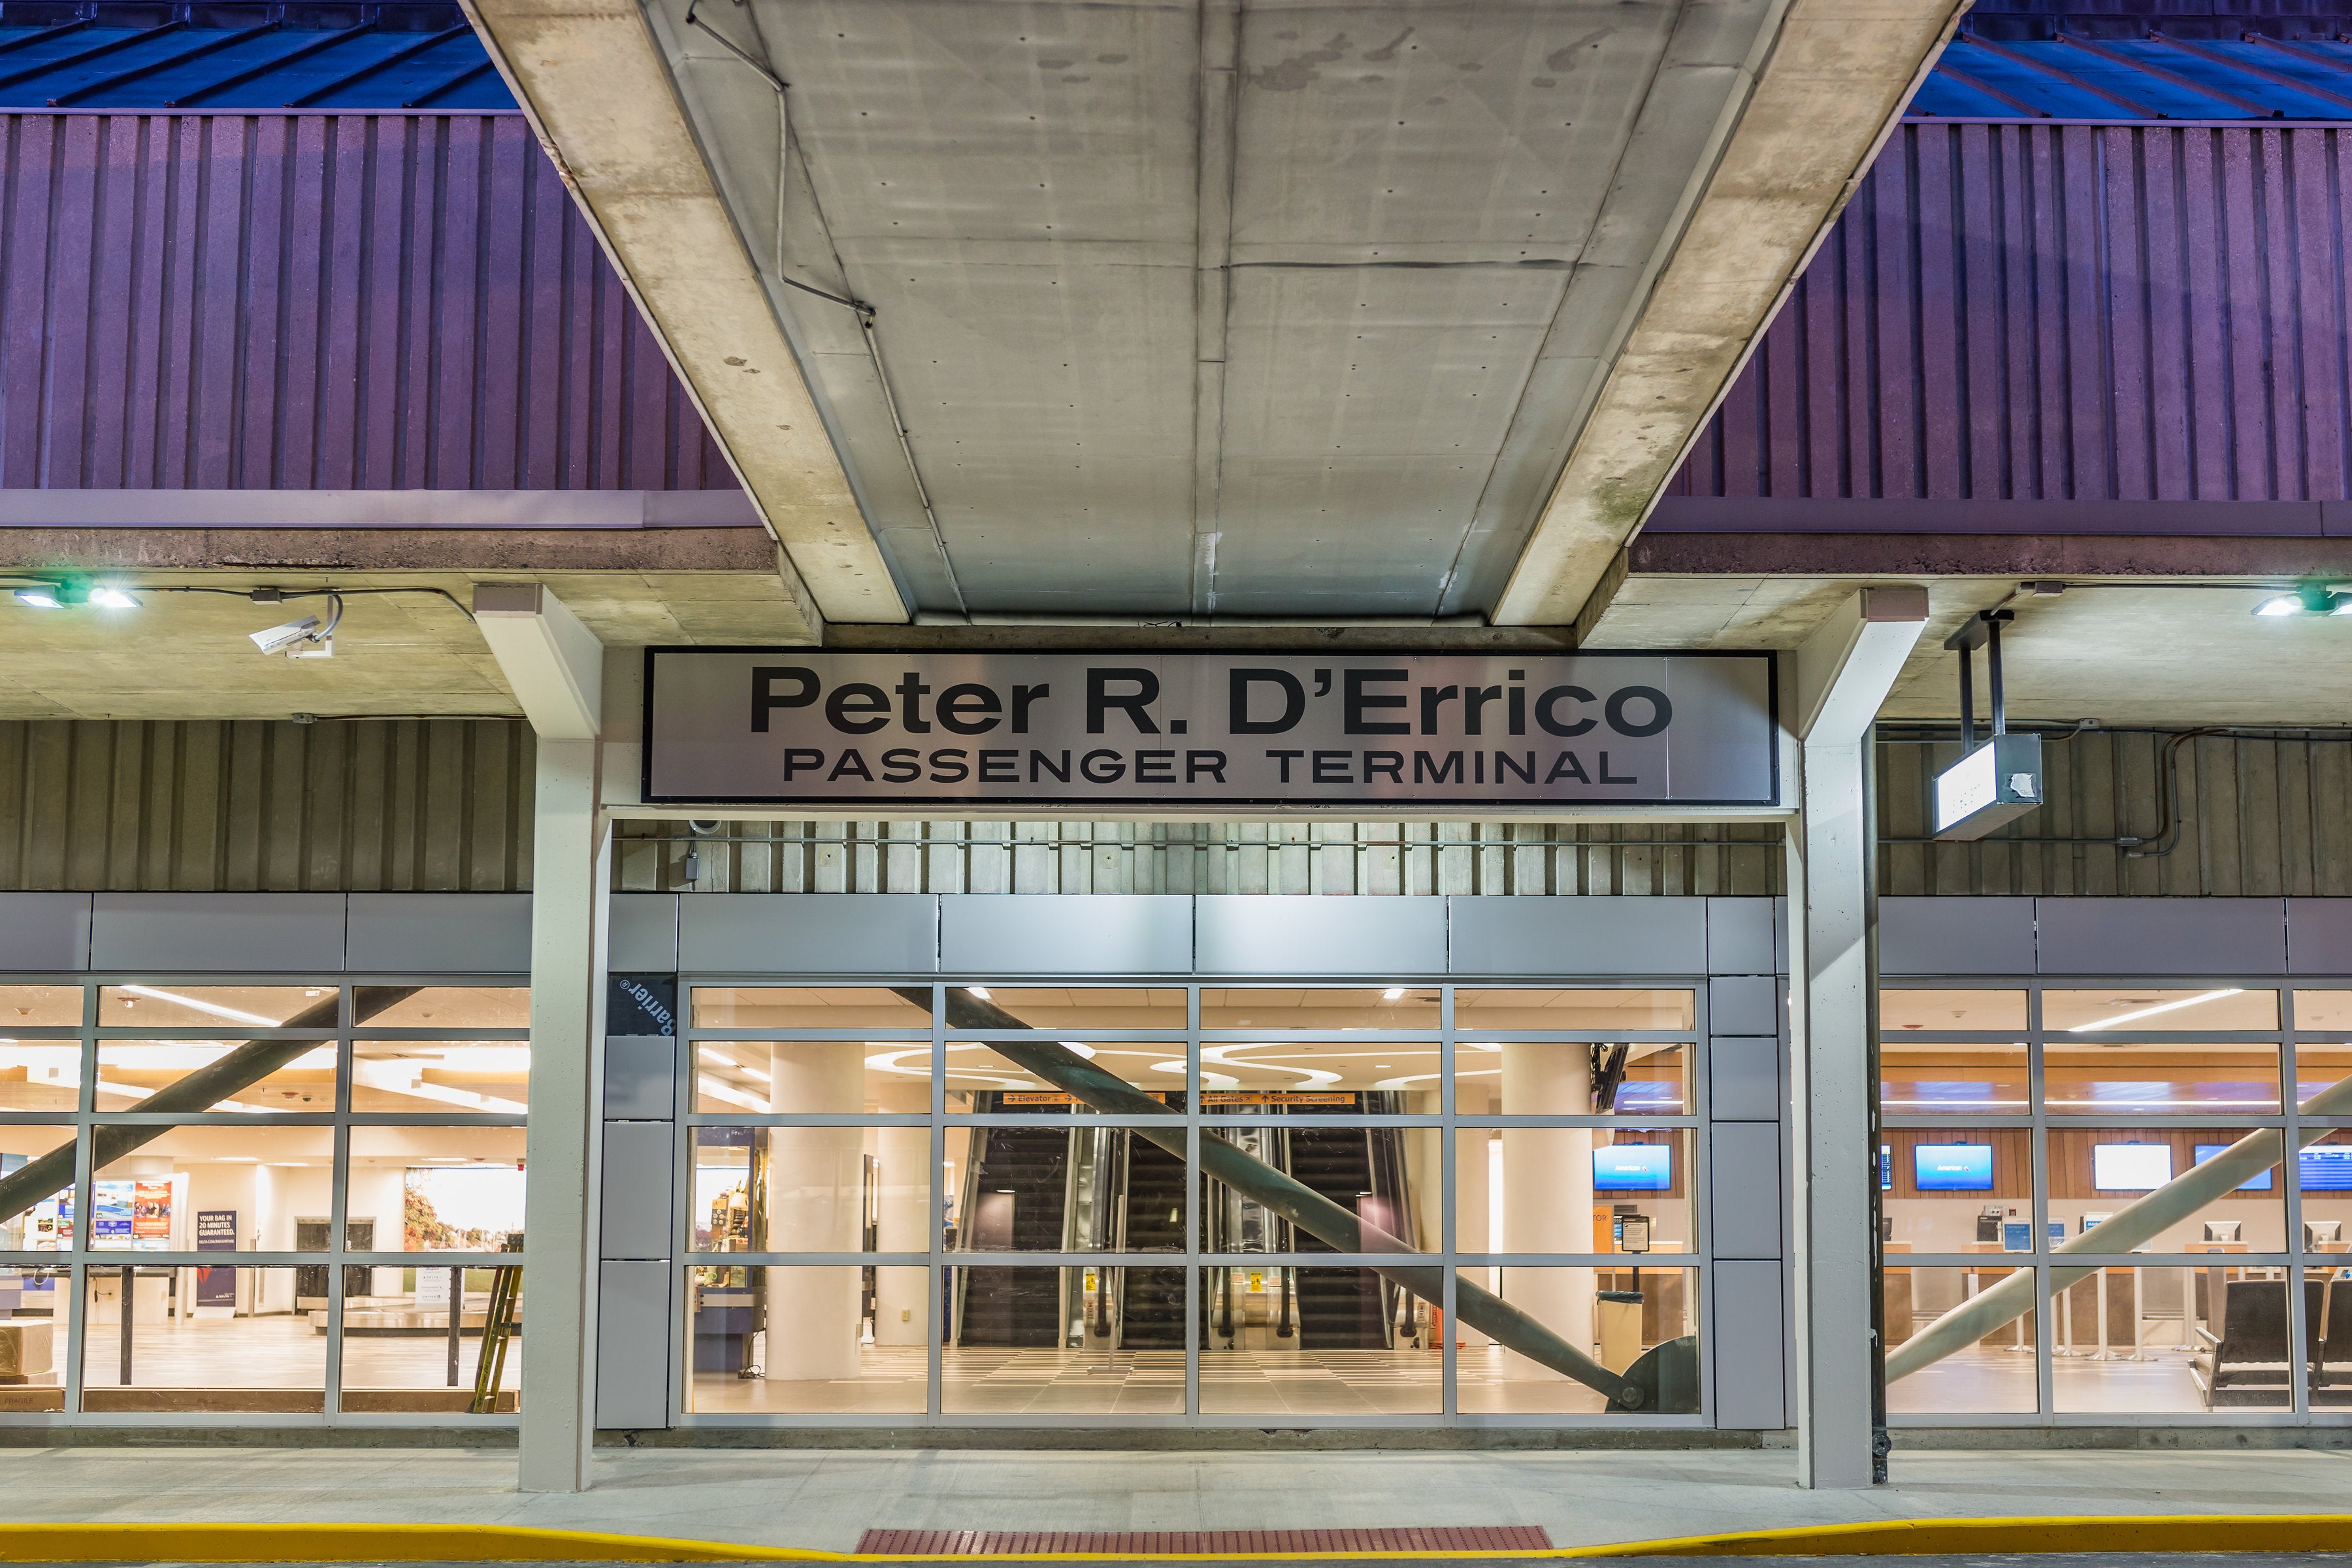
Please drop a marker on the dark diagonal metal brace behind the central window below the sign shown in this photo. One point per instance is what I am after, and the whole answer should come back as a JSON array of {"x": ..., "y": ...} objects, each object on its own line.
[{"x": 1664, "y": 1381}]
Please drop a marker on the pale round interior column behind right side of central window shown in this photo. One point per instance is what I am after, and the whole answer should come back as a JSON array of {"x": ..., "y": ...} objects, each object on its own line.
[{"x": 1544, "y": 1207}]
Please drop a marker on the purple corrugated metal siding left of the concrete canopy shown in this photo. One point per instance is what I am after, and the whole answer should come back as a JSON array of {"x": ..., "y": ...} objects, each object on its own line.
[{"x": 319, "y": 302}]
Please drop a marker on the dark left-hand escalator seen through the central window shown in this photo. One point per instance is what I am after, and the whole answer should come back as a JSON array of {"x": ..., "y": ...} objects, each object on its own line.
[{"x": 1015, "y": 1200}]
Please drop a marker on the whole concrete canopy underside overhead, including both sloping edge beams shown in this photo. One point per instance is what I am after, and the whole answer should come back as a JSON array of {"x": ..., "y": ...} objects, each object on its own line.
[{"x": 1210, "y": 311}]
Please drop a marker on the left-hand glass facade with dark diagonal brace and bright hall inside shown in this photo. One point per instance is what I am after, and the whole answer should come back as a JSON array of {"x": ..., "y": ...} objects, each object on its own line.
[{"x": 215, "y": 1200}]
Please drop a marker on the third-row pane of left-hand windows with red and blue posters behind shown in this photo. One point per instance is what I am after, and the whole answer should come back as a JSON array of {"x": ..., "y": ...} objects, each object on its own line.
[{"x": 152, "y": 1184}]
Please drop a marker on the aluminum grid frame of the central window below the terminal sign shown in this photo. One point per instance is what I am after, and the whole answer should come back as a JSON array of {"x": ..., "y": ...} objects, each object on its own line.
[{"x": 1194, "y": 1120}]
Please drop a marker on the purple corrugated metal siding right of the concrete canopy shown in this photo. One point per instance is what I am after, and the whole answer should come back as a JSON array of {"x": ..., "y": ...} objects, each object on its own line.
[{"x": 2062, "y": 314}]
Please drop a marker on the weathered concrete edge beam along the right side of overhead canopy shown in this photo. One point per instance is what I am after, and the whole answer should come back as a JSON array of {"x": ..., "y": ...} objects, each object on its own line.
[{"x": 1824, "y": 91}]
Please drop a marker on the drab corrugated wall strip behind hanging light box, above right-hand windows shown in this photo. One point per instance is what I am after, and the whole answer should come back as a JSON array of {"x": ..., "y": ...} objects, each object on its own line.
[{"x": 2261, "y": 819}]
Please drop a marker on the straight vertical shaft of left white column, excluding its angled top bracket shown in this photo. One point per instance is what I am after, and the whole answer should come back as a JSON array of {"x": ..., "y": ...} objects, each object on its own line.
[{"x": 570, "y": 899}]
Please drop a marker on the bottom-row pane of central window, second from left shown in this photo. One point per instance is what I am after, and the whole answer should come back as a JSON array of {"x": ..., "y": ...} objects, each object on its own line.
[{"x": 1031, "y": 1341}]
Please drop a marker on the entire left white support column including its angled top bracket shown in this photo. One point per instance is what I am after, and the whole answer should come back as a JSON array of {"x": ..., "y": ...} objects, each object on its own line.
[{"x": 554, "y": 666}]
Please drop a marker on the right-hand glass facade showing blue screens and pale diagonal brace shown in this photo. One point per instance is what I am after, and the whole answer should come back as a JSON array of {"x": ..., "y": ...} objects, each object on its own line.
[{"x": 2116, "y": 1200}]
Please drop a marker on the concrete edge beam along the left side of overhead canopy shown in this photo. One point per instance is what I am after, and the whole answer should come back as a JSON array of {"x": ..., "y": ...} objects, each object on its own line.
[{"x": 596, "y": 91}]
